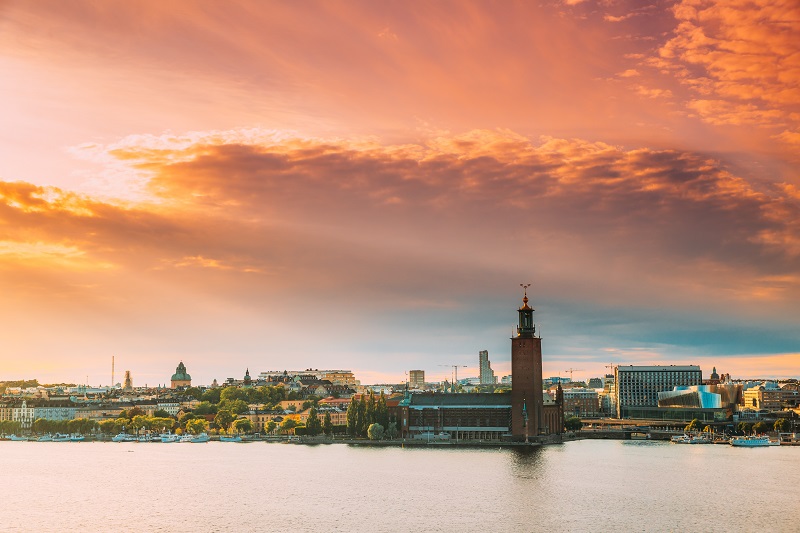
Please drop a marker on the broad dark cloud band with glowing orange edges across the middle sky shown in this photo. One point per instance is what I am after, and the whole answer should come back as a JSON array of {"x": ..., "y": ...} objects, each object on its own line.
[{"x": 416, "y": 224}]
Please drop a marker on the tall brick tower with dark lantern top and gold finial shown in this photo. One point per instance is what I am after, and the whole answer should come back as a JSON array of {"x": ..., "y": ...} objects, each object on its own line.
[{"x": 526, "y": 375}]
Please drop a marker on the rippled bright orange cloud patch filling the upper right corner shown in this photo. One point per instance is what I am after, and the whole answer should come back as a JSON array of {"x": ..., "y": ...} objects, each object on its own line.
[{"x": 743, "y": 58}]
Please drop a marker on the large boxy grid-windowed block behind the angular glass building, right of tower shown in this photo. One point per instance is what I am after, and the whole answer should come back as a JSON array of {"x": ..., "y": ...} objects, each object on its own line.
[{"x": 637, "y": 387}]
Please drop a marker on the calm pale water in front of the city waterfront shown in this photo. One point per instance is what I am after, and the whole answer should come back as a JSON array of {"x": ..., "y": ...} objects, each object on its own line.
[{"x": 578, "y": 486}]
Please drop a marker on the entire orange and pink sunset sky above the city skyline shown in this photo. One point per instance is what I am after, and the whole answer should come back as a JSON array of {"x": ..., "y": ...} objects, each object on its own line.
[{"x": 365, "y": 185}]
